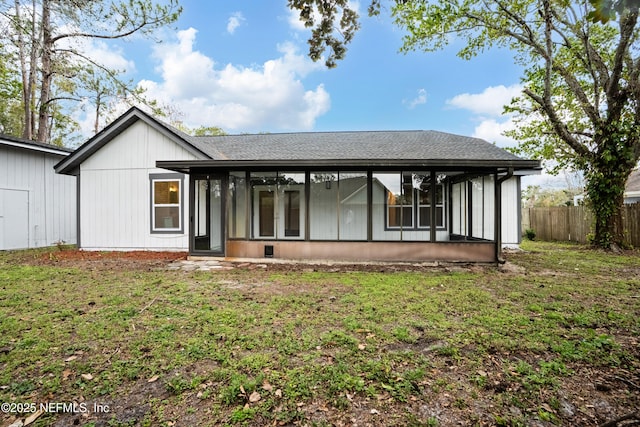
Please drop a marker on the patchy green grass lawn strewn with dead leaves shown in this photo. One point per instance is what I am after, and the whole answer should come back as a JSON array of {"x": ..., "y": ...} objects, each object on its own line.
[{"x": 553, "y": 341}]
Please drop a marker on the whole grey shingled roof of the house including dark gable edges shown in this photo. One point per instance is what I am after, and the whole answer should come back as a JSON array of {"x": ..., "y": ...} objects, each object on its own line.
[{"x": 374, "y": 149}]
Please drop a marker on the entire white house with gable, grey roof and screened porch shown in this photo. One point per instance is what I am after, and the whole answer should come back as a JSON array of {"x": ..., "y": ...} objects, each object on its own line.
[{"x": 356, "y": 196}]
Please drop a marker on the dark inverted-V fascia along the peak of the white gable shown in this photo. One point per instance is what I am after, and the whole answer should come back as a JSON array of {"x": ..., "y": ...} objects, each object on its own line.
[{"x": 70, "y": 165}]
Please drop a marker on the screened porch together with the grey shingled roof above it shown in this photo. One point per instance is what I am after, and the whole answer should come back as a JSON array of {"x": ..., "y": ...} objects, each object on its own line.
[{"x": 353, "y": 196}]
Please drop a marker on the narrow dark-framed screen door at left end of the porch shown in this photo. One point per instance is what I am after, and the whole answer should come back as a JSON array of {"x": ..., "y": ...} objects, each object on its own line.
[{"x": 207, "y": 220}]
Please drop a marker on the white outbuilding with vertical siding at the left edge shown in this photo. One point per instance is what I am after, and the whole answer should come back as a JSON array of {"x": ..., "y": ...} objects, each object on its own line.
[{"x": 37, "y": 206}]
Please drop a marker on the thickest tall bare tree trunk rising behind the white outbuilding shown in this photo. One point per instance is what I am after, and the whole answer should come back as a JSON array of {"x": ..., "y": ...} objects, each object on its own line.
[{"x": 47, "y": 73}]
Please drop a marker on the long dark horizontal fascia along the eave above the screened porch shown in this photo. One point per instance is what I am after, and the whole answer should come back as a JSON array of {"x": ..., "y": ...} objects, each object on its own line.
[{"x": 187, "y": 165}]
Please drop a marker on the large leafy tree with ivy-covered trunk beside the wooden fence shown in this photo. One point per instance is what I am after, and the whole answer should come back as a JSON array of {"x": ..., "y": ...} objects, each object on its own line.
[{"x": 581, "y": 101}]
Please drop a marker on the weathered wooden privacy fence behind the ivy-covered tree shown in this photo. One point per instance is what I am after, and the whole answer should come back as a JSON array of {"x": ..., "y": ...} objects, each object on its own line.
[{"x": 574, "y": 223}]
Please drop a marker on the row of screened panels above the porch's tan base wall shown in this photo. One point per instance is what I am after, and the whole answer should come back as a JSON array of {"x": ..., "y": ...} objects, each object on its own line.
[{"x": 360, "y": 206}]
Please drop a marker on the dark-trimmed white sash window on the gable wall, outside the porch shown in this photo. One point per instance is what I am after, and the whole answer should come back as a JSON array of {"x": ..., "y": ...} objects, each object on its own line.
[{"x": 166, "y": 203}]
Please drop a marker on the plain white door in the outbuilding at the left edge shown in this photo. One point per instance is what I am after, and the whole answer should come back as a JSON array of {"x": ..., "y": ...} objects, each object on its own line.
[{"x": 14, "y": 219}]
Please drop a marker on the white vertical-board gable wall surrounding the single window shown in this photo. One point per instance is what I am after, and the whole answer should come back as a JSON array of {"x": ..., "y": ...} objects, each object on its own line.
[{"x": 115, "y": 192}]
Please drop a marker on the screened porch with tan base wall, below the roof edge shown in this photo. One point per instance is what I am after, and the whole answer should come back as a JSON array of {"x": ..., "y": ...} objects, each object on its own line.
[{"x": 351, "y": 214}]
